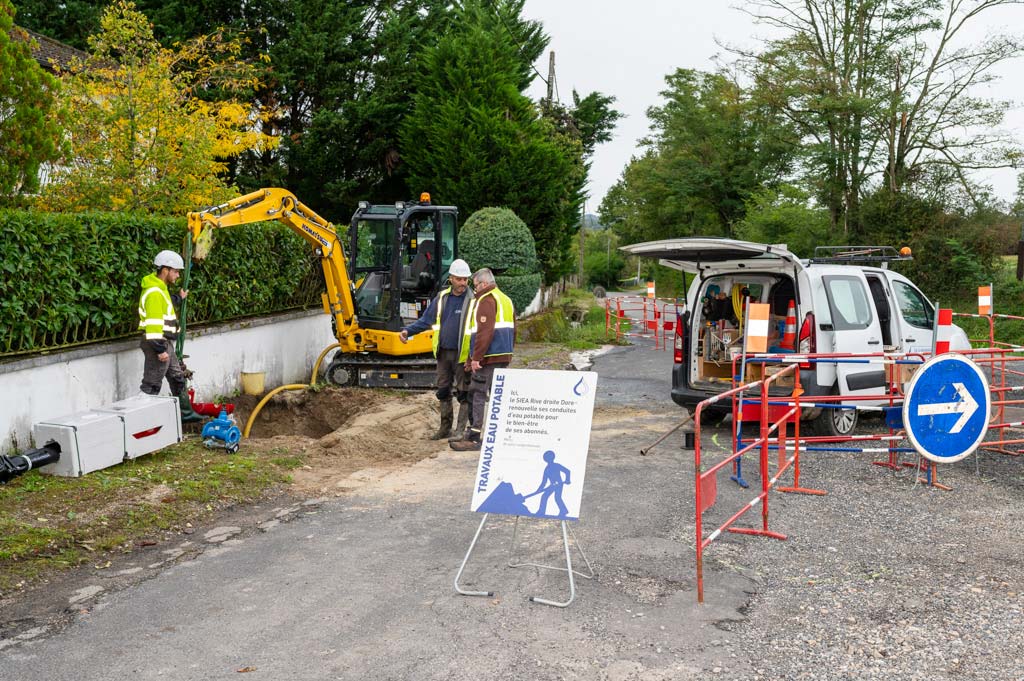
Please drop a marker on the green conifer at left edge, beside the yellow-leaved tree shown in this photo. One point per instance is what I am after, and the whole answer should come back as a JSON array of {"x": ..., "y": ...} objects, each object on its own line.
[{"x": 29, "y": 134}]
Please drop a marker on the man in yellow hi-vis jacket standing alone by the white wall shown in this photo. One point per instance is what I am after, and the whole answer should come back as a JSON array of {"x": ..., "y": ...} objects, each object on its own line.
[{"x": 159, "y": 324}]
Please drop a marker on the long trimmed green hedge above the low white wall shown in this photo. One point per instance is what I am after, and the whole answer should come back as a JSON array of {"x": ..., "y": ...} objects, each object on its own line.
[{"x": 72, "y": 279}]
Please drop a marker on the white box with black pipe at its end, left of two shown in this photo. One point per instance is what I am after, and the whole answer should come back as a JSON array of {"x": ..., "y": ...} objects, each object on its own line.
[{"x": 90, "y": 442}]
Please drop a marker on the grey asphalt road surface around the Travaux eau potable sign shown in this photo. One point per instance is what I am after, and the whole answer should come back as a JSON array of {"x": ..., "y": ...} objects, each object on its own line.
[{"x": 361, "y": 587}]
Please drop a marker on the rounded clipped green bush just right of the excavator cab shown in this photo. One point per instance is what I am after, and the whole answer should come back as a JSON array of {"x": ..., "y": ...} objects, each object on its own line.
[{"x": 496, "y": 238}]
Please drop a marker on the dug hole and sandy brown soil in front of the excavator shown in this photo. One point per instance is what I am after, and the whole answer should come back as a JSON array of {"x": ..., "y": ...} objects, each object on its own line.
[{"x": 346, "y": 437}]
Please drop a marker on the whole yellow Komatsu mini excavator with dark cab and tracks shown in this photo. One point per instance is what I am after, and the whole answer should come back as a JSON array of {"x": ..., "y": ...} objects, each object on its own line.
[{"x": 399, "y": 256}]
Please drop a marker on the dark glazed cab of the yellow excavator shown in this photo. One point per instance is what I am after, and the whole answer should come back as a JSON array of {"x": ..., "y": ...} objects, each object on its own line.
[{"x": 400, "y": 259}]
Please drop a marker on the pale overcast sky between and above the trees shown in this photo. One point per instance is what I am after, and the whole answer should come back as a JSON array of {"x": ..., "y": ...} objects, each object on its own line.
[{"x": 626, "y": 48}]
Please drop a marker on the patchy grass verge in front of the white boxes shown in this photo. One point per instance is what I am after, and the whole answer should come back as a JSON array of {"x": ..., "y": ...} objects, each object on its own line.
[{"x": 51, "y": 524}]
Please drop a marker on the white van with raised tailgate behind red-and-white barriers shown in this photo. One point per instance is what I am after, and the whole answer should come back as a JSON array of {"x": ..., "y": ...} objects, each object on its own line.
[{"x": 847, "y": 301}]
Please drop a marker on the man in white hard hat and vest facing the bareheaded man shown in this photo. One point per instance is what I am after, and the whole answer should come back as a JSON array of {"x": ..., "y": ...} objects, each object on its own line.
[{"x": 445, "y": 316}]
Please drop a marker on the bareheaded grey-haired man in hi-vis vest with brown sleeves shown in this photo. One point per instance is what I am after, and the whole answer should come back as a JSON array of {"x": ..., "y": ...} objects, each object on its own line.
[{"x": 488, "y": 346}]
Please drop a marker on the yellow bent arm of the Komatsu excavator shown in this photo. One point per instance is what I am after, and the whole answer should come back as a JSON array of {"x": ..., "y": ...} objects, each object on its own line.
[{"x": 281, "y": 205}]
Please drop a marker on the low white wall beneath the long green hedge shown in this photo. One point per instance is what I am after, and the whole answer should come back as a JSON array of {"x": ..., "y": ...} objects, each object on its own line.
[{"x": 49, "y": 387}]
